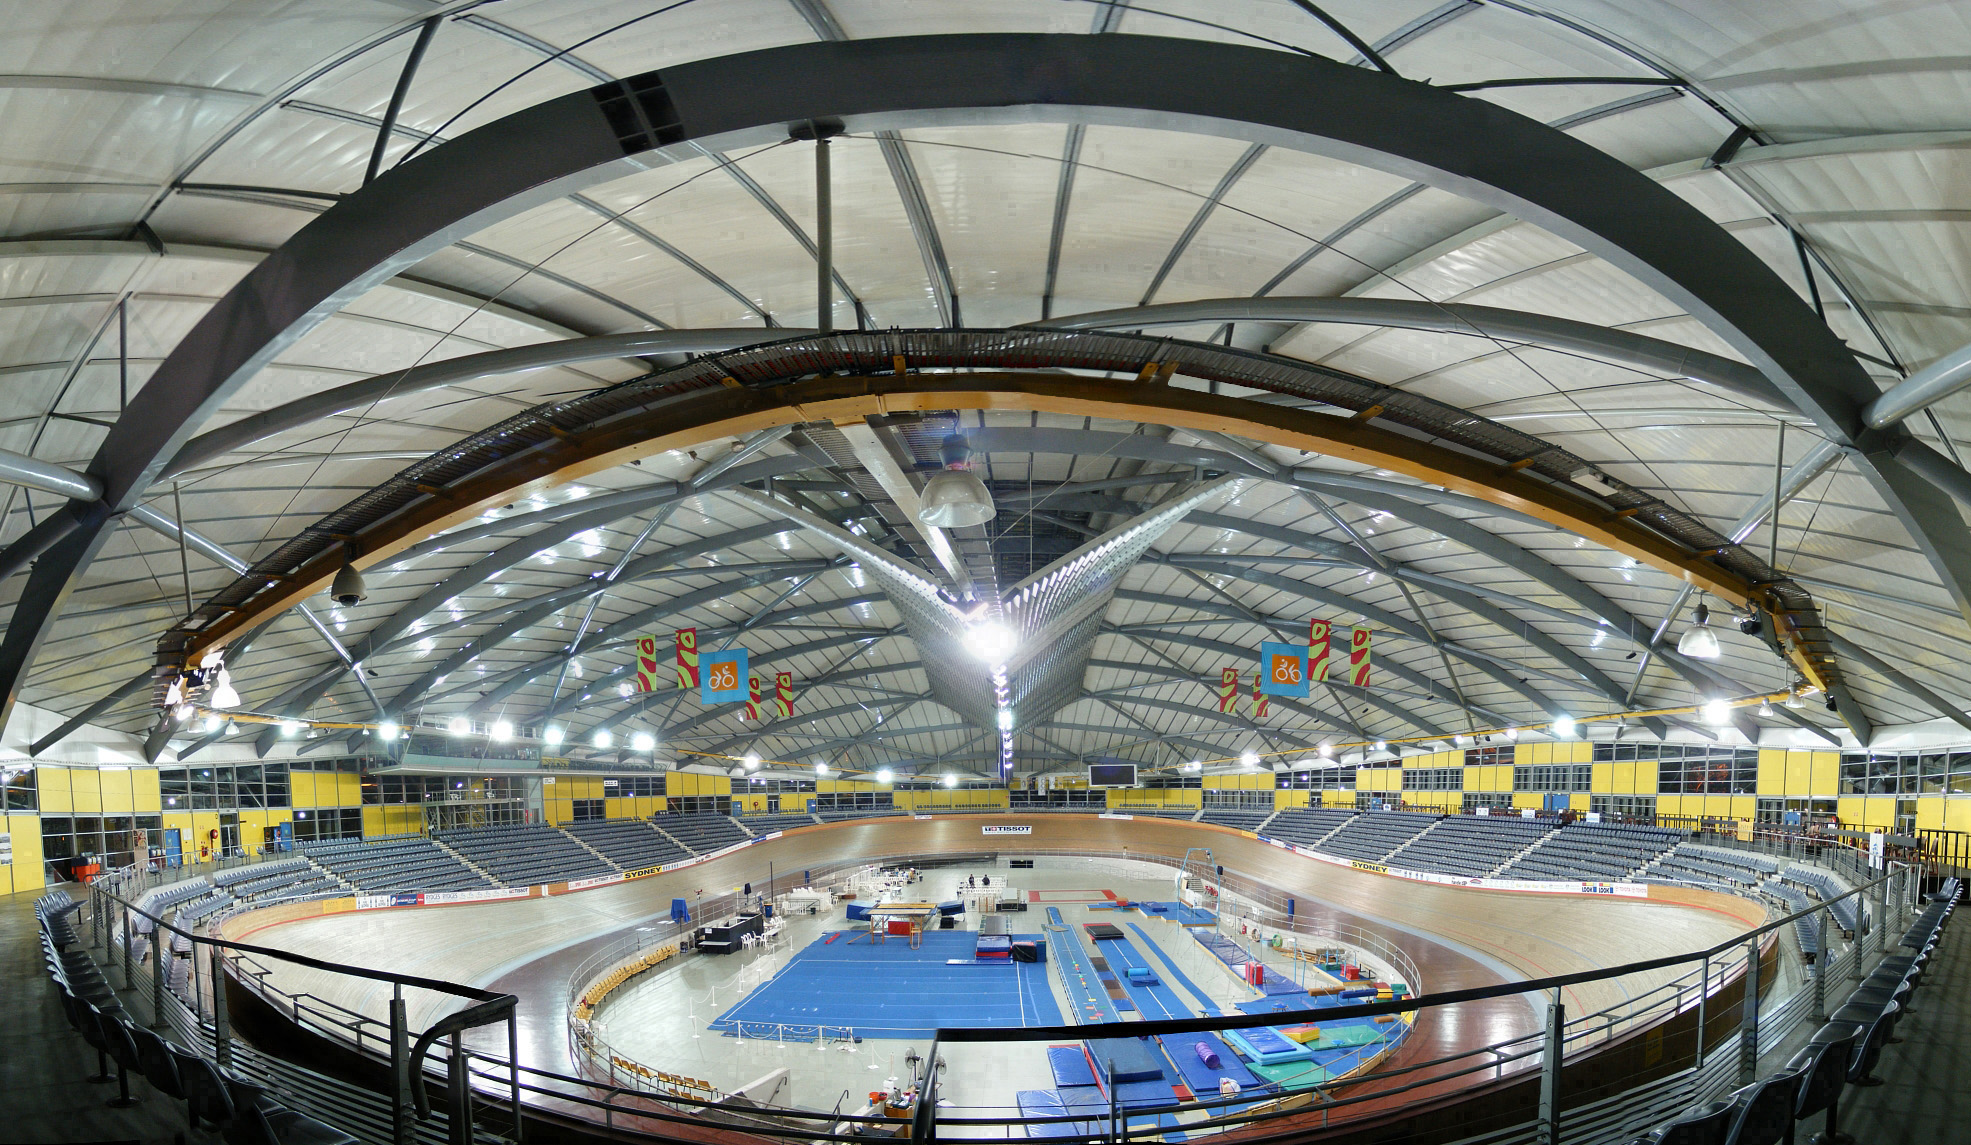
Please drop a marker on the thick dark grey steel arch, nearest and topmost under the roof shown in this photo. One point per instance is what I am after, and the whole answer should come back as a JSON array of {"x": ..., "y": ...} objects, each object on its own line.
[{"x": 1306, "y": 103}]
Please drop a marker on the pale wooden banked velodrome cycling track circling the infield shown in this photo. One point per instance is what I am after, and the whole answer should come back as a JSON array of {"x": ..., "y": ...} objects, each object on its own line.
[{"x": 1458, "y": 937}]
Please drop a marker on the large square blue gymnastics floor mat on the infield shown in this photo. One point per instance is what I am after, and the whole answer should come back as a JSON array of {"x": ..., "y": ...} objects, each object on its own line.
[{"x": 892, "y": 992}]
